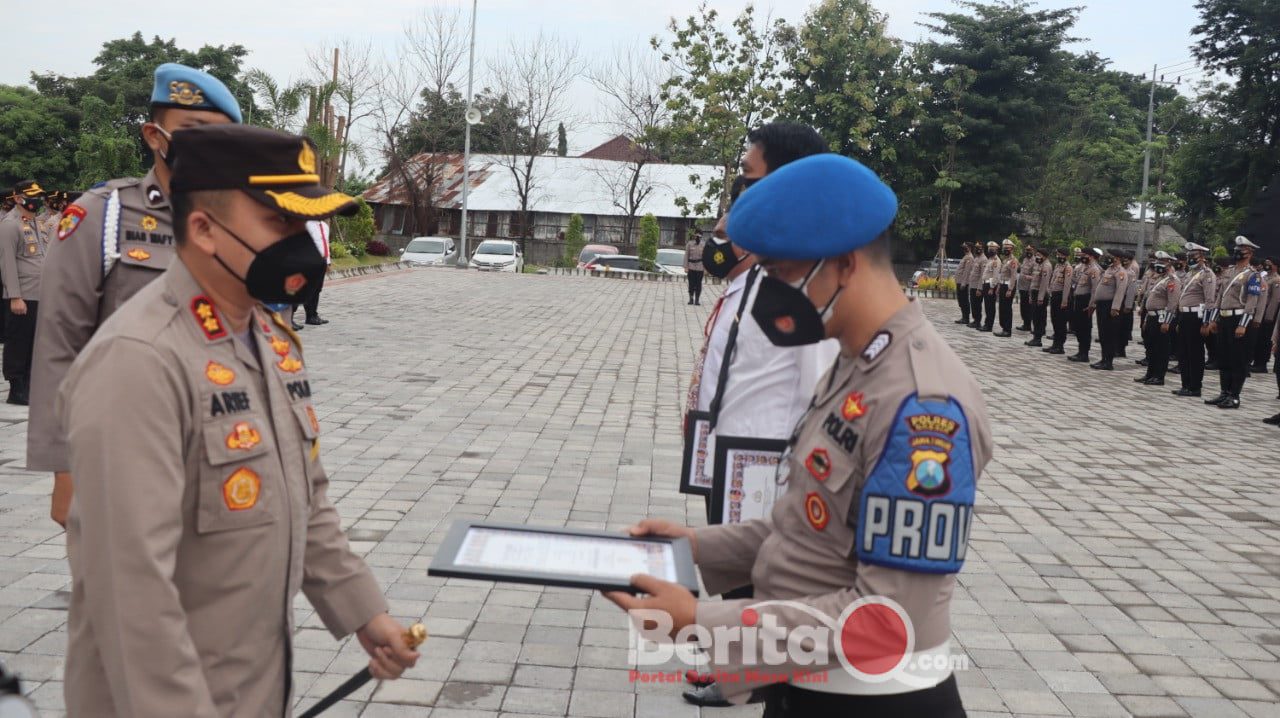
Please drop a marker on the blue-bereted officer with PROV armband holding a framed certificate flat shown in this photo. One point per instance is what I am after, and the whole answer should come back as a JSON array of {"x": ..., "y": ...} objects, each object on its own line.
[{"x": 821, "y": 230}]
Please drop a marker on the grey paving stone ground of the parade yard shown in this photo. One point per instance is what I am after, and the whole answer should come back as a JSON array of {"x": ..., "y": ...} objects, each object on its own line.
[{"x": 1124, "y": 560}]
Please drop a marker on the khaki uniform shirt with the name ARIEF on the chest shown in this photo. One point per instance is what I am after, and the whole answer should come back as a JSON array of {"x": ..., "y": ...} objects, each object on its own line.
[{"x": 200, "y": 513}]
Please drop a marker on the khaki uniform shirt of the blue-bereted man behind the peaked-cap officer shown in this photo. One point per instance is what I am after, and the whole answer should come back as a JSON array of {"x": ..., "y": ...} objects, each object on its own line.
[{"x": 80, "y": 294}]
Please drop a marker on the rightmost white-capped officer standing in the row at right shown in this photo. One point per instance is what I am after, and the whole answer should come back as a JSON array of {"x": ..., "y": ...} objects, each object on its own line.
[{"x": 1232, "y": 321}]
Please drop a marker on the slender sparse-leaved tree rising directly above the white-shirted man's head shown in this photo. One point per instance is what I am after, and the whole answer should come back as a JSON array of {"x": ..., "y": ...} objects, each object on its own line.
[{"x": 724, "y": 84}]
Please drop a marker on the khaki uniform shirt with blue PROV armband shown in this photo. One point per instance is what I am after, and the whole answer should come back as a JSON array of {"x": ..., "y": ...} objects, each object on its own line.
[{"x": 884, "y": 424}]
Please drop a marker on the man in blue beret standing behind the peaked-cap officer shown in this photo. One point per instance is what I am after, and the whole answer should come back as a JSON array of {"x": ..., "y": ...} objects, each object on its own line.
[{"x": 92, "y": 272}]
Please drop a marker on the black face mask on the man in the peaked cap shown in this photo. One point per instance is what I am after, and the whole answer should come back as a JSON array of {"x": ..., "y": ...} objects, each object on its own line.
[{"x": 284, "y": 273}]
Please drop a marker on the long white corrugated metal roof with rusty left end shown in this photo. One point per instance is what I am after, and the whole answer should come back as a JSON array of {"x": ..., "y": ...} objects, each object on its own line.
[{"x": 561, "y": 185}]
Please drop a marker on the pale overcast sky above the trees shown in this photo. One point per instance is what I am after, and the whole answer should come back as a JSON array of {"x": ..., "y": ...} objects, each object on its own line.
[{"x": 278, "y": 33}]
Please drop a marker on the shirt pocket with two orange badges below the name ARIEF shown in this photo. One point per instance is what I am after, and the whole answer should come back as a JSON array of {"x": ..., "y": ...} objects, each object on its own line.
[{"x": 237, "y": 487}]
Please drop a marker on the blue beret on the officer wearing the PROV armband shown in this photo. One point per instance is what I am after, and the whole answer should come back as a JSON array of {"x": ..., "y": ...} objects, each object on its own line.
[{"x": 815, "y": 208}]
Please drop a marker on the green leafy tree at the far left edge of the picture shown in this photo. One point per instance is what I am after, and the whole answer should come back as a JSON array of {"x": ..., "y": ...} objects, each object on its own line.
[{"x": 36, "y": 141}]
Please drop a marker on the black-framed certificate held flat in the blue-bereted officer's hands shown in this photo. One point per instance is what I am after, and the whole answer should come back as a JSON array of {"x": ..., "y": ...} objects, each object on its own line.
[{"x": 561, "y": 557}]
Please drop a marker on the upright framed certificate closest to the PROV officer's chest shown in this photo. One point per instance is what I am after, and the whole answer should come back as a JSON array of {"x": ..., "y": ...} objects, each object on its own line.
[{"x": 744, "y": 486}]
